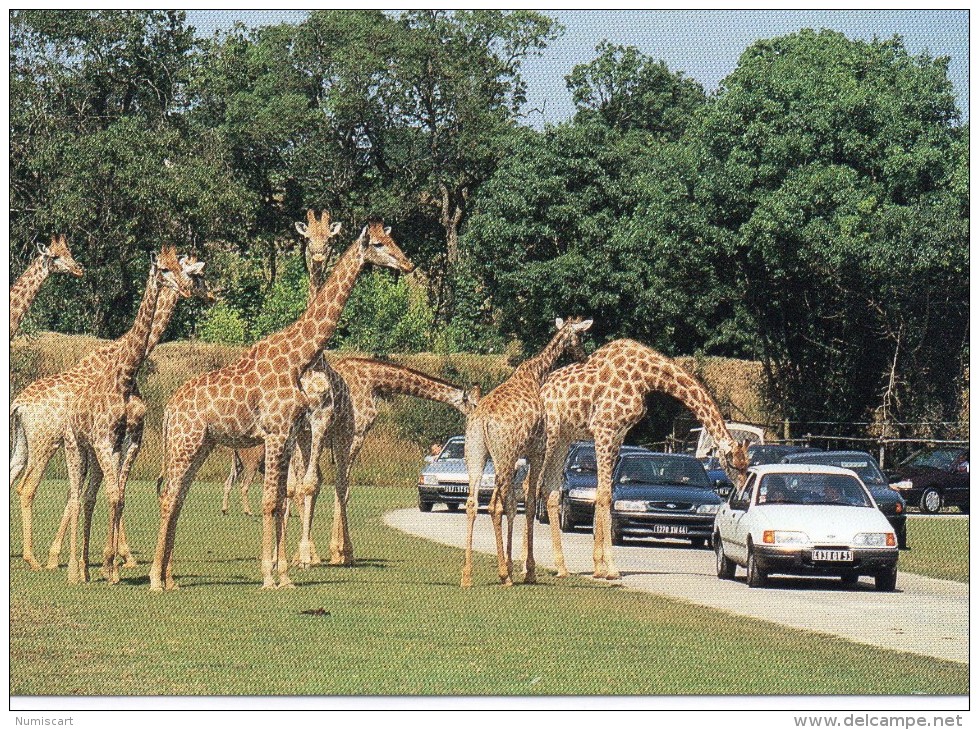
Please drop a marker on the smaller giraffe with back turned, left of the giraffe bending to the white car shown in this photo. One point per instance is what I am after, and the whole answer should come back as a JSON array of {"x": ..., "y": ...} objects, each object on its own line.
[{"x": 509, "y": 423}]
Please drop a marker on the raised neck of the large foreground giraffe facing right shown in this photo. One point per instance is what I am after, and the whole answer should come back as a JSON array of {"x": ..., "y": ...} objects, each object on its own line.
[{"x": 310, "y": 334}]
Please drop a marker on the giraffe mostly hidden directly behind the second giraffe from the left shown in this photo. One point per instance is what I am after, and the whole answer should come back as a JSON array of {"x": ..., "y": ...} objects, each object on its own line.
[{"x": 166, "y": 305}]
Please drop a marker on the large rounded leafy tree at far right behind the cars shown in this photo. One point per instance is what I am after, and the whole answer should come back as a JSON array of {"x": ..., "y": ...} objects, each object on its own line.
[{"x": 834, "y": 177}]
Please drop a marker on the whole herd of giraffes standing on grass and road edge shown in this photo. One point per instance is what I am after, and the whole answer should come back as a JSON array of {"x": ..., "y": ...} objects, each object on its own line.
[{"x": 283, "y": 402}]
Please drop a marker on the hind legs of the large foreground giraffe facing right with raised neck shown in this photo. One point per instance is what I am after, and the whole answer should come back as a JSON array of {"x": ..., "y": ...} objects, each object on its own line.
[{"x": 184, "y": 456}]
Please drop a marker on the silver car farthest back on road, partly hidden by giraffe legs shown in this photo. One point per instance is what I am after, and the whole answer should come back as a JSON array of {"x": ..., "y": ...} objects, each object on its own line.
[{"x": 446, "y": 480}]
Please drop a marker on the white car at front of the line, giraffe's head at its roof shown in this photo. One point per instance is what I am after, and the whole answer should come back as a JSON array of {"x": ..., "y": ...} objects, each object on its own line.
[{"x": 804, "y": 519}]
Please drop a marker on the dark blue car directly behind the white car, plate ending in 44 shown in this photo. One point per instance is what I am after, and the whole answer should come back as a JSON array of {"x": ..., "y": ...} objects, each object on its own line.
[{"x": 662, "y": 496}]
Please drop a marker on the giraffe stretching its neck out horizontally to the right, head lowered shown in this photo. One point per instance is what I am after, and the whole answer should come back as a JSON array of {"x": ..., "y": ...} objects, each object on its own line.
[{"x": 352, "y": 388}]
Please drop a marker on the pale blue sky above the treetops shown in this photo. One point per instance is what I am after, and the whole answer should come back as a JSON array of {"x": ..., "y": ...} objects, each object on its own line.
[{"x": 704, "y": 44}]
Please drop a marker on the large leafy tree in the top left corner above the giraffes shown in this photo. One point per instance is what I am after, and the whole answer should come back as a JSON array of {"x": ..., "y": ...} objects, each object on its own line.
[{"x": 99, "y": 150}]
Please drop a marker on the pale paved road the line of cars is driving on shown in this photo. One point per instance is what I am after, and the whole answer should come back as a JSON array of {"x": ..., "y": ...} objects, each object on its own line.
[{"x": 924, "y": 616}]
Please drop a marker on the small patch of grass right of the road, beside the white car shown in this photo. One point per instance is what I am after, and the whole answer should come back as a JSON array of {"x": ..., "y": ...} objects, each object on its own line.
[{"x": 939, "y": 548}]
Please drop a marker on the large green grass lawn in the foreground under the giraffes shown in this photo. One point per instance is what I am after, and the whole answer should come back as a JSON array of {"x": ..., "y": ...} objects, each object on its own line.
[{"x": 396, "y": 624}]
